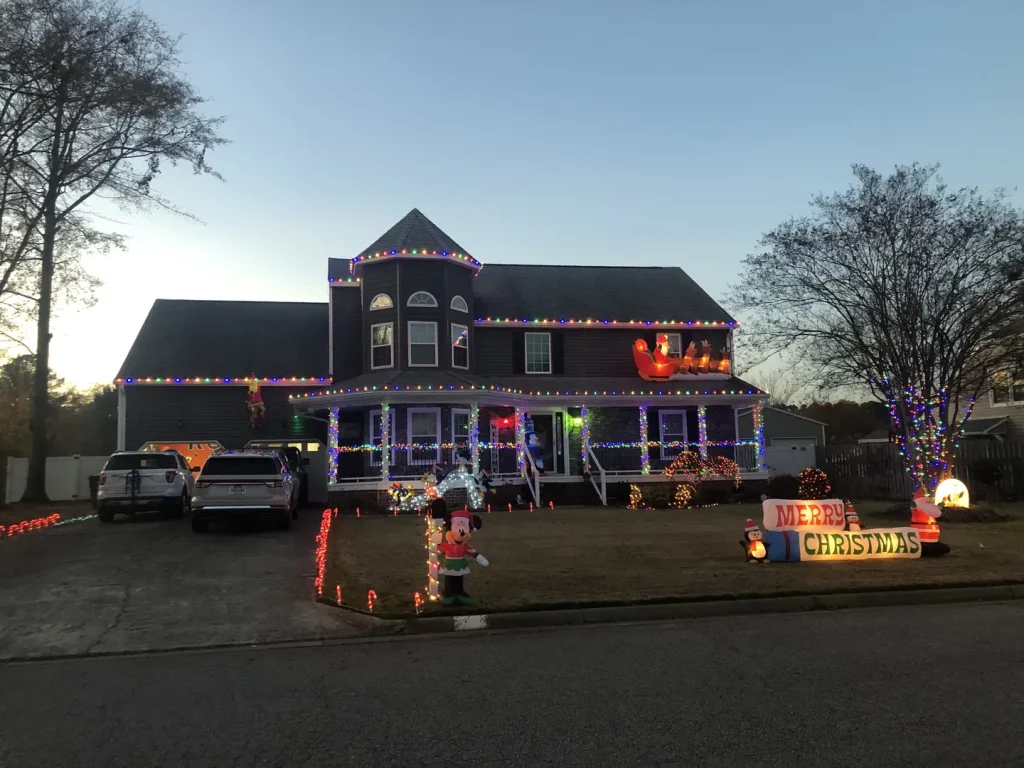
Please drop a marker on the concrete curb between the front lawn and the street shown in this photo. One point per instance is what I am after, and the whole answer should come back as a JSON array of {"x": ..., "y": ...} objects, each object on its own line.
[{"x": 728, "y": 608}]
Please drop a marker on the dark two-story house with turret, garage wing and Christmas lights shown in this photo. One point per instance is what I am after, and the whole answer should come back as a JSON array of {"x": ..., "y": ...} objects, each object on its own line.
[{"x": 423, "y": 356}]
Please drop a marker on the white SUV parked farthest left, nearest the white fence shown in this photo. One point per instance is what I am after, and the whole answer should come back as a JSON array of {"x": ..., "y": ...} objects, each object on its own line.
[{"x": 134, "y": 481}]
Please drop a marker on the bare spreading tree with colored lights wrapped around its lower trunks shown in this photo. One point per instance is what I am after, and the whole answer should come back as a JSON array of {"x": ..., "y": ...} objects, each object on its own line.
[{"x": 900, "y": 285}]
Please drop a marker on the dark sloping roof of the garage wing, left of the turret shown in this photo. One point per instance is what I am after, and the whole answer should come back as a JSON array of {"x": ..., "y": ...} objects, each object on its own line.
[{"x": 188, "y": 338}]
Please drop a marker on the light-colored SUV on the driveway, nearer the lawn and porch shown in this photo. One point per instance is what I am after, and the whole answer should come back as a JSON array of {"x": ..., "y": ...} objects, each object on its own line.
[{"x": 247, "y": 483}]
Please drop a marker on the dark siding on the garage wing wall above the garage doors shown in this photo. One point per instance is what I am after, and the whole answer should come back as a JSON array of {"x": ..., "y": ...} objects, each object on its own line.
[{"x": 215, "y": 413}]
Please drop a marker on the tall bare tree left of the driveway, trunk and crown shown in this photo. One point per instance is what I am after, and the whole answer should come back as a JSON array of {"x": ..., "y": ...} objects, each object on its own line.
[{"x": 110, "y": 106}]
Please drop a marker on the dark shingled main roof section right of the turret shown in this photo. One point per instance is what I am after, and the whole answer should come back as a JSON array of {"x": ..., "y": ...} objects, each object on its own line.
[{"x": 623, "y": 293}]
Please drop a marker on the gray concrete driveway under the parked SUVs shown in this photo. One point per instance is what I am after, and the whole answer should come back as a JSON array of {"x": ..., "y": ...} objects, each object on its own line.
[{"x": 149, "y": 583}]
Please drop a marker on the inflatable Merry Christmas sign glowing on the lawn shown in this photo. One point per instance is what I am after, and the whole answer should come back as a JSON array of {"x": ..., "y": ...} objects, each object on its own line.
[{"x": 814, "y": 531}]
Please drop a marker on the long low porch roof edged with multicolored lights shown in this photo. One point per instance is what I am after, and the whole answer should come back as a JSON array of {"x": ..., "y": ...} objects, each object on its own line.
[{"x": 440, "y": 387}]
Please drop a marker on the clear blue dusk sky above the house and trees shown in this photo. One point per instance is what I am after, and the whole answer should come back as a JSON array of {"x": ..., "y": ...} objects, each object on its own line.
[{"x": 667, "y": 134}]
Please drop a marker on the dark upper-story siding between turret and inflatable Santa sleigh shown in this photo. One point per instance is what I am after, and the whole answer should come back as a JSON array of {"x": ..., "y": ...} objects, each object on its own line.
[{"x": 585, "y": 352}]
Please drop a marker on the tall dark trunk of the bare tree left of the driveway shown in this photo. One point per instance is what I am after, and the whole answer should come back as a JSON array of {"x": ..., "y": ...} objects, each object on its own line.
[{"x": 36, "y": 489}]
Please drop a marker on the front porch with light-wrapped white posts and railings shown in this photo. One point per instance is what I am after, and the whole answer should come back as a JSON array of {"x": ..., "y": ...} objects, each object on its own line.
[{"x": 527, "y": 449}]
